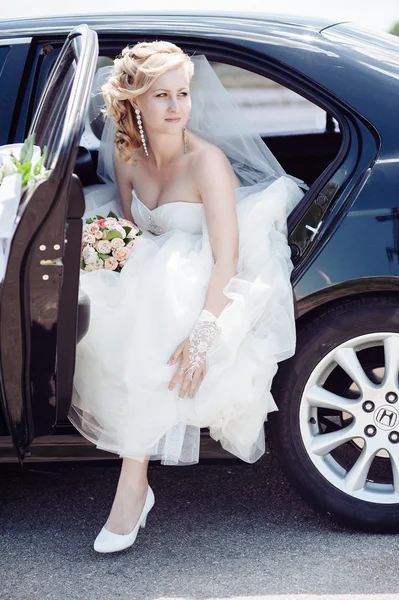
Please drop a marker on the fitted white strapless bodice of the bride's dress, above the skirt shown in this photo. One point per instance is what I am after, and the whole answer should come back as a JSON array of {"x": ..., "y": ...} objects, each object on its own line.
[{"x": 185, "y": 216}]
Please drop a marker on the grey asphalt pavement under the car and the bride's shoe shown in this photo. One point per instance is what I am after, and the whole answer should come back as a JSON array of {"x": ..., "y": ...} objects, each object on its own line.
[{"x": 233, "y": 531}]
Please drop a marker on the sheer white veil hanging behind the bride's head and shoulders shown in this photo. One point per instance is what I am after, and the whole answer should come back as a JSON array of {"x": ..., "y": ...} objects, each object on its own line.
[{"x": 214, "y": 116}]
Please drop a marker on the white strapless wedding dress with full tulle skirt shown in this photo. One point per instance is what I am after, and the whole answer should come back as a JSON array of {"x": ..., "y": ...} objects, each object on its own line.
[{"x": 121, "y": 400}]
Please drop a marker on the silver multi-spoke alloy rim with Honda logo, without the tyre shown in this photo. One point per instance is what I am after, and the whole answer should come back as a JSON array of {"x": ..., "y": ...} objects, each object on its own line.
[{"x": 369, "y": 413}]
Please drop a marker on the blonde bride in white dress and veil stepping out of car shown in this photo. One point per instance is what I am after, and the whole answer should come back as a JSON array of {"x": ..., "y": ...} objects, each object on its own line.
[{"x": 189, "y": 333}]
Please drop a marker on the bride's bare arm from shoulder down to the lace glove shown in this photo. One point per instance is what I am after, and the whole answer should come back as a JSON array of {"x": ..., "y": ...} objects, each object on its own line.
[{"x": 214, "y": 179}]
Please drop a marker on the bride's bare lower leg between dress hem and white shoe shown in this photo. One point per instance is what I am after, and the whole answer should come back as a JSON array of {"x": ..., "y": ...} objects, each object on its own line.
[{"x": 130, "y": 496}]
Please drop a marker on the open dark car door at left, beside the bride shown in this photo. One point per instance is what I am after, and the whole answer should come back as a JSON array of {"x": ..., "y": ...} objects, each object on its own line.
[{"x": 39, "y": 292}]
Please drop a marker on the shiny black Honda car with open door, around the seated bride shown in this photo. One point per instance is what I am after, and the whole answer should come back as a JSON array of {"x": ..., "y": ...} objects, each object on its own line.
[{"x": 324, "y": 96}]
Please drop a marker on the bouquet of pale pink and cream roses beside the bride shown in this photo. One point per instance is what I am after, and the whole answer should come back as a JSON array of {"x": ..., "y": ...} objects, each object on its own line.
[{"x": 107, "y": 242}]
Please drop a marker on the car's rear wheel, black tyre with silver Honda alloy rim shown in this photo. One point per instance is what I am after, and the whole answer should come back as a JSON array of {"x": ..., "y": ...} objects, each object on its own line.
[{"x": 336, "y": 434}]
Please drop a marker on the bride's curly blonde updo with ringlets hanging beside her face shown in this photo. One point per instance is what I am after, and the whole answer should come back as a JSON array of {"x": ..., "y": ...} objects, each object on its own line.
[{"x": 135, "y": 70}]
